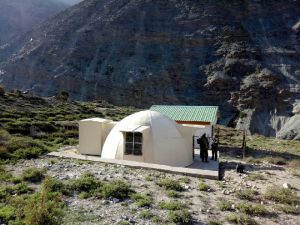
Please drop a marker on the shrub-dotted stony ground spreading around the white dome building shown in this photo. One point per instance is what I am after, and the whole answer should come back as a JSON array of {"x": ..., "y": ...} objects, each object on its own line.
[{"x": 35, "y": 187}]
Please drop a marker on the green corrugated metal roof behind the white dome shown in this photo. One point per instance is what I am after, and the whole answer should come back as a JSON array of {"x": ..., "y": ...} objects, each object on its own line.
[{"x": 188, "y": 113}]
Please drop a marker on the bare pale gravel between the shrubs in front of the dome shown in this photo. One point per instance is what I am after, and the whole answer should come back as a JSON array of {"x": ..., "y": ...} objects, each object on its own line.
[{"x": 203, "y": 205}]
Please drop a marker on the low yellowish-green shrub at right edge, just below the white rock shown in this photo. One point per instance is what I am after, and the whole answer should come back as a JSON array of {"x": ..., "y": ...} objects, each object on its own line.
[{"x": 281, "y": 195}]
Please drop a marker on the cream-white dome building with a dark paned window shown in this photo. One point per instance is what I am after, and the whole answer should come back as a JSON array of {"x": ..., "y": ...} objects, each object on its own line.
[{"x": 150, "y": 137}]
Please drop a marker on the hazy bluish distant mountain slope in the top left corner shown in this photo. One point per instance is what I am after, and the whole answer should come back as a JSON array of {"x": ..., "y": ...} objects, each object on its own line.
[{"x": 19, "y": 16}]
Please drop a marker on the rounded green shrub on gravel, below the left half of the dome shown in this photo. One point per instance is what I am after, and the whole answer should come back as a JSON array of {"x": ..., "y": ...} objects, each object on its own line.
[{"x": 117, "y": 189}]
